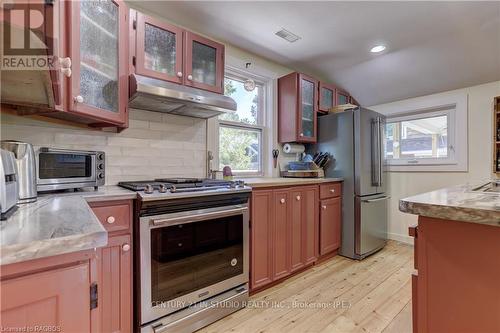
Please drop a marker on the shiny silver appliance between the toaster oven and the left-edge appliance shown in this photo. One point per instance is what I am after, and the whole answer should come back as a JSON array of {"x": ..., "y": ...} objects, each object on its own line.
[{"x": 26, "y": 169}]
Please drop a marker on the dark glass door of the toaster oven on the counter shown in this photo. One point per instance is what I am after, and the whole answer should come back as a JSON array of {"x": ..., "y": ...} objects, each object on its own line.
[{"x": 58, "y": 168}]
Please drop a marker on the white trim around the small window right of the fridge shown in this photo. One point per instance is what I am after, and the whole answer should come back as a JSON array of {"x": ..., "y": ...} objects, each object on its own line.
[{"x": 457, "y": 127}]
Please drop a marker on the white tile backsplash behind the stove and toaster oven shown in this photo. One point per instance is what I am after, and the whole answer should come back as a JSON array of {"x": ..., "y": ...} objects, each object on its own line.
[{"x": 155, "y": 144}]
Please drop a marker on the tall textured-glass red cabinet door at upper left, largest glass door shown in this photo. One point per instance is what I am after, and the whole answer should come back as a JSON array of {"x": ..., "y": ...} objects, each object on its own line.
[{"x": 99, "y": 57}]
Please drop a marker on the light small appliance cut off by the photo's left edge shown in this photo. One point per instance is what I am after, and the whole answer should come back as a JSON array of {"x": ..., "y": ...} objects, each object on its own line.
[{"x": 8, "y": 184}]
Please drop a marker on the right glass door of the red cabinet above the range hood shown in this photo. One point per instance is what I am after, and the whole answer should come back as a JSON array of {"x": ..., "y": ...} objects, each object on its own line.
[{"x": 204, "y": 63}]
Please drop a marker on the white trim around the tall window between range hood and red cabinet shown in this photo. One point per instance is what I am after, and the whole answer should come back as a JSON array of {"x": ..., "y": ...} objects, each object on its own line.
[{"x": 263, "y": 121}]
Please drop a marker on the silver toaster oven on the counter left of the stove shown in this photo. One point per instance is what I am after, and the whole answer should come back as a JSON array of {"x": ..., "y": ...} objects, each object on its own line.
[{"x": 59, "y": 169}]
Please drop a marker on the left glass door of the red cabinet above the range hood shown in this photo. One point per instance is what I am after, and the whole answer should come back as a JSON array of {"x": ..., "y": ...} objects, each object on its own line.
[{"x": 159, "y": 49}]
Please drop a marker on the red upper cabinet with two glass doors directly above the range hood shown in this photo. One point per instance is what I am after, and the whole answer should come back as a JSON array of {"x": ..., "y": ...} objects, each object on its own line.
[{"x": 166, "y": 52}]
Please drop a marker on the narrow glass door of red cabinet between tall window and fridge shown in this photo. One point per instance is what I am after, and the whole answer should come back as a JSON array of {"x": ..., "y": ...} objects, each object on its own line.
[{"x": 308, "y": 107}]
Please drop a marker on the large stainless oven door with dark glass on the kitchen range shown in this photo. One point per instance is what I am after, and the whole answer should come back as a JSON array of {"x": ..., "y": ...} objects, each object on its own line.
[{"x": 189, "y": 256}]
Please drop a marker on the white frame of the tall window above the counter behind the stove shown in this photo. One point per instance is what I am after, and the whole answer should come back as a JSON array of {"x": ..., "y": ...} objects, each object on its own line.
[{"x": 262, "y": 121}]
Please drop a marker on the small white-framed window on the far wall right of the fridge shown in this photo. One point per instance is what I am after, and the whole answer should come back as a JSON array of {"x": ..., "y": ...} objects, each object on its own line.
[{"x": 433, "y": 138}]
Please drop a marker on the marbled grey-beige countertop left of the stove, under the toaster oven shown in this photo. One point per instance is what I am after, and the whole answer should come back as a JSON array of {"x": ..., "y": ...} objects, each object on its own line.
[{"x": 56, "y": 224}]
